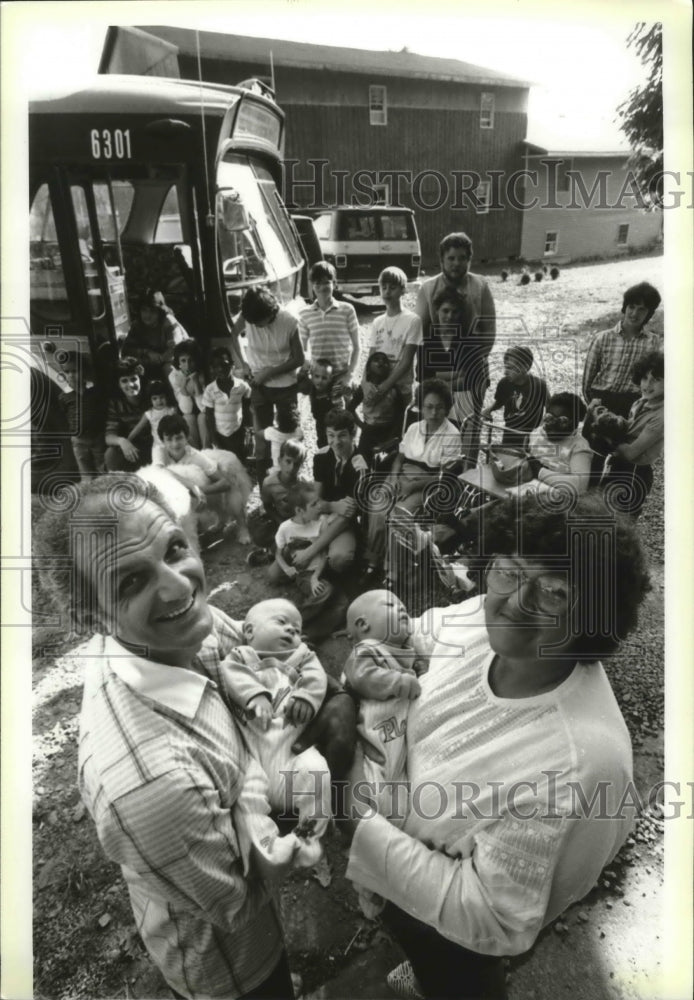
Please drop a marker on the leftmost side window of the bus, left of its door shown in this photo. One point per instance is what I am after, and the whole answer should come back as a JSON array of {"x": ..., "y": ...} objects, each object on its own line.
[{"x": 48, "y": 292}]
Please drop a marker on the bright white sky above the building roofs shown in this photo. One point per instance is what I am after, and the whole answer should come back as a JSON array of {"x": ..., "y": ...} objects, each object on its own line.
[{"x": 575, "y": 54}]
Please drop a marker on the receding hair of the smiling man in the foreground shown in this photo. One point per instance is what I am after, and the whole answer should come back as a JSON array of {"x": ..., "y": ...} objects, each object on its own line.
[{"x": 66, "y": 531}]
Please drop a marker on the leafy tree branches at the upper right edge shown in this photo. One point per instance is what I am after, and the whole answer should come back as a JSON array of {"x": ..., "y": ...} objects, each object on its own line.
[{"x": 641, "y": 114}]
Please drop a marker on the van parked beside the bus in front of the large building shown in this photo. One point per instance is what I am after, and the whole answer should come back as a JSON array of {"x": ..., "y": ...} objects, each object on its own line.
[{"x": 360, "y": 242}]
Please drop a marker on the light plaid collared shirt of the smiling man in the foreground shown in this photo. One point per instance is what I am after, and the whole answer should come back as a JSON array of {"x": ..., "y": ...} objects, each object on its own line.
[{"x": 161, "y": 764}]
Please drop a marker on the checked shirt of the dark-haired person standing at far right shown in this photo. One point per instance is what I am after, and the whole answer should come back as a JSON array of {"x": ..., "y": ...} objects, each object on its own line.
[{"x": 611, "y": 358}]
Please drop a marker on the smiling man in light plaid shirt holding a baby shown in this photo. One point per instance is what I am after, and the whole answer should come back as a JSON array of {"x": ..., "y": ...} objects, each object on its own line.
[{"x": 163, "y": 769}]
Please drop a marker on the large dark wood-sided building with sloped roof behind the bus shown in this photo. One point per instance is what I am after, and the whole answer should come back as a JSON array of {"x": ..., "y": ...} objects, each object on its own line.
[{"x": 437, "y": 135}]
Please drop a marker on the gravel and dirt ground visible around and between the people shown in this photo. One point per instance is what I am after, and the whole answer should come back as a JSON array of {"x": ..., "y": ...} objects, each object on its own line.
[{"x": 85, "y": 945}]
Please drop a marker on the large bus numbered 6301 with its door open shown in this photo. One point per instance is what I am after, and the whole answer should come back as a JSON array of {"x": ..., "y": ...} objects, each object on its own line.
[{"x": 140, "y": 182}]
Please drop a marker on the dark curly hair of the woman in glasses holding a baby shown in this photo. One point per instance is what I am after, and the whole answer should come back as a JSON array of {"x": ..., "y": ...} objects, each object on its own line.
[{"x": 601, "y": 550}]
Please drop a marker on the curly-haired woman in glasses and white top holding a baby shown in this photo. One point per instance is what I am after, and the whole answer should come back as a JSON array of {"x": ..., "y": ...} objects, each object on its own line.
[{"x": 519, "y": 760}]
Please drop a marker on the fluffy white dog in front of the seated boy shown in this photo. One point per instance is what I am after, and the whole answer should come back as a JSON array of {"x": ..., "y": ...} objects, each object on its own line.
[{"x": 176, "y": 481}]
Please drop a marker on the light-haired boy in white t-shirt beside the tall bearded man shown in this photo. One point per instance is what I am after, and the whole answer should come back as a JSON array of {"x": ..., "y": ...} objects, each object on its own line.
[{"x": 397, "y": 334}]
